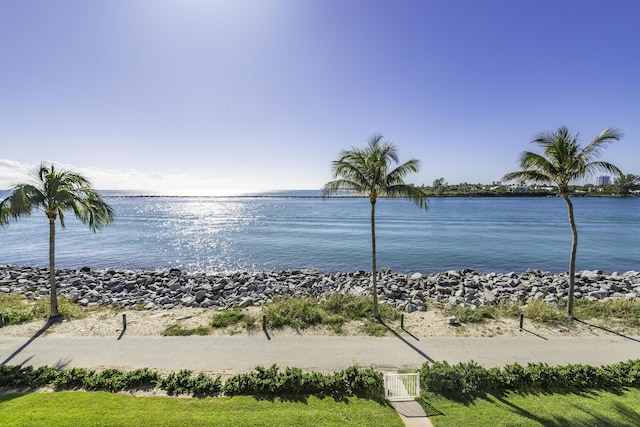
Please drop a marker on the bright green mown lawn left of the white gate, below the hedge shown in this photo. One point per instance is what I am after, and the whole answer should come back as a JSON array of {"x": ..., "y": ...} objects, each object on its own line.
[{"x": 107, "y": 409}]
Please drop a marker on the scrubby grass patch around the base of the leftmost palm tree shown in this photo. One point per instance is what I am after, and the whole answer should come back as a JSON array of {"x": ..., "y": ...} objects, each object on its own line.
[{"x": 15, "y": 309}]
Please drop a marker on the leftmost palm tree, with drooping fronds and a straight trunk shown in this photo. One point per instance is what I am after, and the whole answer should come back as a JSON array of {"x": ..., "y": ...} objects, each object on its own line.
[{"x": 56, "y": 192}]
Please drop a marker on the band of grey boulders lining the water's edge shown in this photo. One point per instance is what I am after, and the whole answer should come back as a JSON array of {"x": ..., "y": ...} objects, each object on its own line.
[{"x": 172, "y": 288}]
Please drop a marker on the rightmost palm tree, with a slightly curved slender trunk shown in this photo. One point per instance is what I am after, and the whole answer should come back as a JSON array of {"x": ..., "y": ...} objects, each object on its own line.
[{"x": 564, "y": 161}]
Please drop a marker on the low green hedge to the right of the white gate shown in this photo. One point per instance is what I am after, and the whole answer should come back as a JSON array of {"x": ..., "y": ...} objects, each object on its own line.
[{"x": 465, "y": 378}]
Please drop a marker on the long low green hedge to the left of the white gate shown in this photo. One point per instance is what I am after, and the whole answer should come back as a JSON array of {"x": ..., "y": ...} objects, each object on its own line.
[{"x": 271, "y": 381}]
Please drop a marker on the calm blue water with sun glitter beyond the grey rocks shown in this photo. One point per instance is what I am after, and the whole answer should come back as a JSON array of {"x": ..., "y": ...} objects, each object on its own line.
[{"x": 282, "y": 233}]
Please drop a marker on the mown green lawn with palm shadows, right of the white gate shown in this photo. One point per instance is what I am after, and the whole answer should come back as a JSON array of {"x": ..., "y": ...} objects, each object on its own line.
[{"x": 588, "y": 409}]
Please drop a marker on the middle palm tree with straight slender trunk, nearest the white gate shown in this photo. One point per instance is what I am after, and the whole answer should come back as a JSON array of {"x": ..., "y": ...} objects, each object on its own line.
[{"x": 367, "y": 171}]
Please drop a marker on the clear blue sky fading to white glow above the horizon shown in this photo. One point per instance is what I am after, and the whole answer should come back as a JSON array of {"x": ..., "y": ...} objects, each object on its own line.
[{"x": 221, "y": 96}]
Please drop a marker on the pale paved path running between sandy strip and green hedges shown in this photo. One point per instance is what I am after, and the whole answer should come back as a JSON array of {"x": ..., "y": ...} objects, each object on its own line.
[{"x": 229, "y": 354}]
